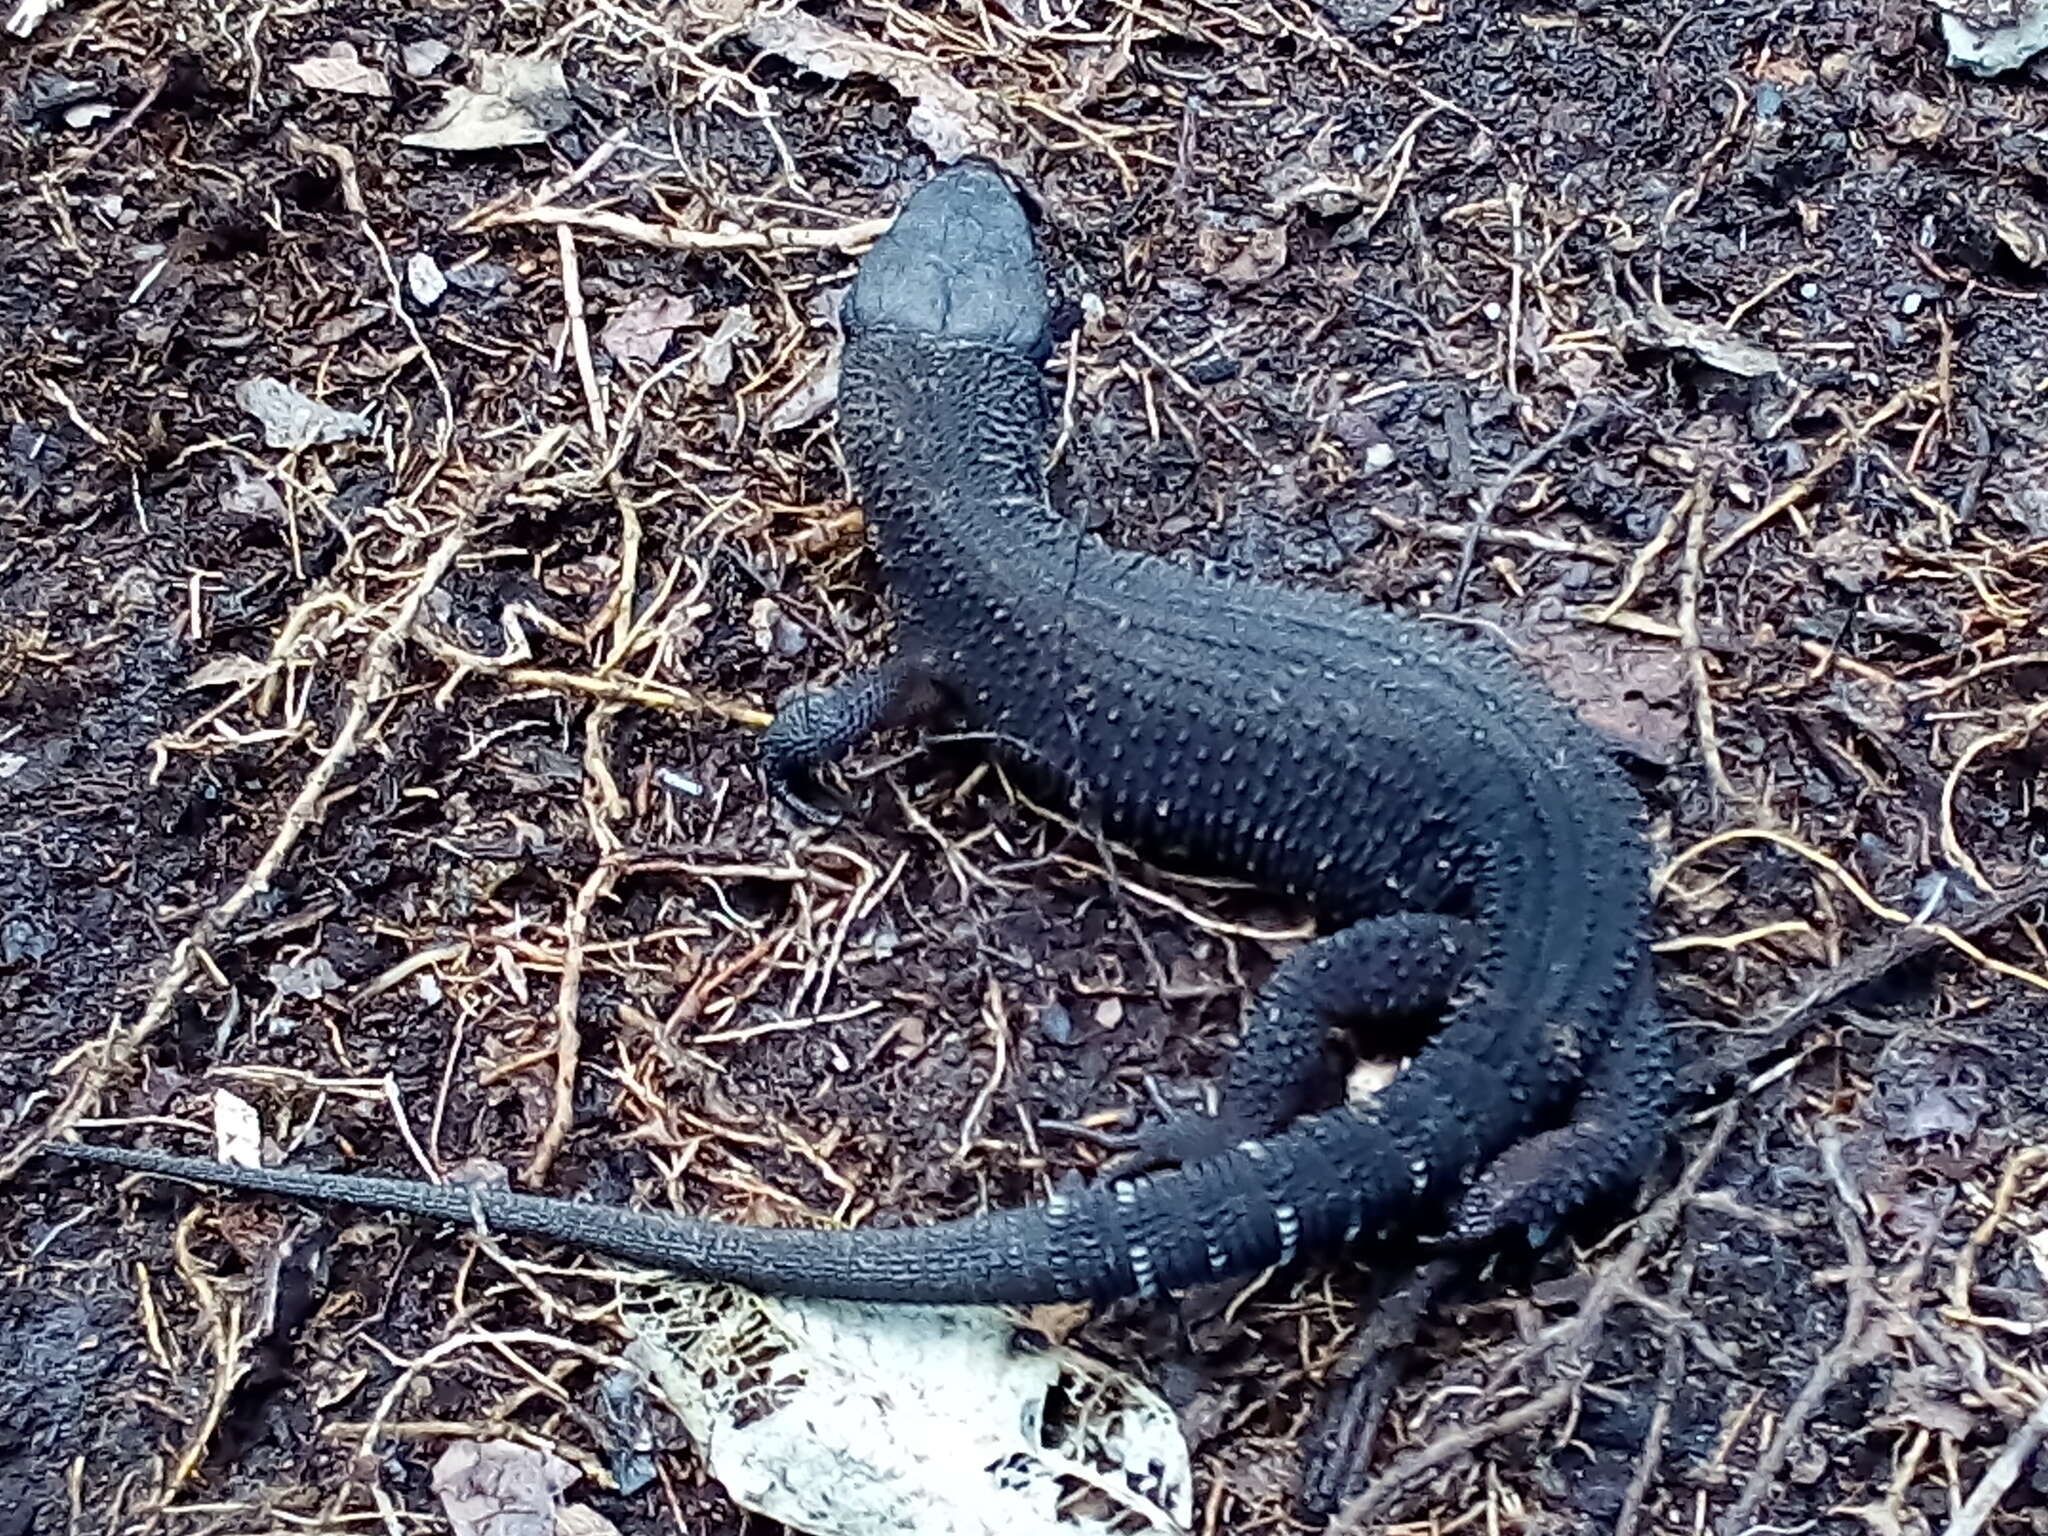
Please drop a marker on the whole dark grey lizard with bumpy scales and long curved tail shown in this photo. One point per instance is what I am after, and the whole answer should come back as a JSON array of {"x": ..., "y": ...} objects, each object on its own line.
[{"x": 1465, "y": 843}]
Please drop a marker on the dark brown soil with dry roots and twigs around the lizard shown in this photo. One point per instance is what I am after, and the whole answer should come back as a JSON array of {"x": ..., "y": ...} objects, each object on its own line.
[{"x": 343, "y": 777}]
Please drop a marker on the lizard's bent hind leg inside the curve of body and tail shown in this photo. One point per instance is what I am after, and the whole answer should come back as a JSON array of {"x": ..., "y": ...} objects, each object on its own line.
[{"x": 1406, "y": 964}]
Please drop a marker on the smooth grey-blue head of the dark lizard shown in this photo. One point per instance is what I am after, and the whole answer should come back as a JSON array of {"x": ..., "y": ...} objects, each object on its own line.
[{"x": 959, "y": 265}]
